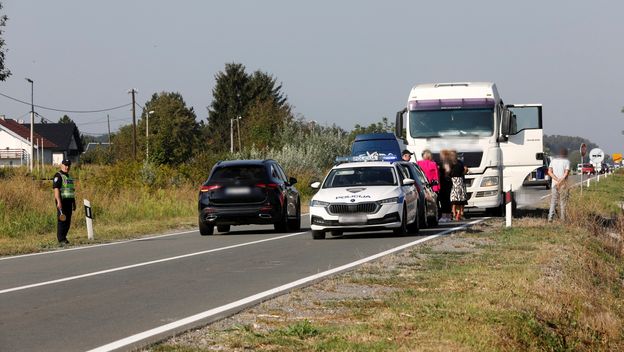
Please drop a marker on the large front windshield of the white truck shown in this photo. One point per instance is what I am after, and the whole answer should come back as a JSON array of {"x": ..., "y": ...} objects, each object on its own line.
[{"x": 451, "y": 122}]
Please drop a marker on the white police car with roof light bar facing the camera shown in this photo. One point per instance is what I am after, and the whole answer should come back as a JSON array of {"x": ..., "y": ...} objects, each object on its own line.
[{"x": 364, "y": 194}]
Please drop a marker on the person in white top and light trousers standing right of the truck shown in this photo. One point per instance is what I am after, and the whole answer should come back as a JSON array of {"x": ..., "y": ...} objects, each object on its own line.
[{"x": 558, "y": 171}]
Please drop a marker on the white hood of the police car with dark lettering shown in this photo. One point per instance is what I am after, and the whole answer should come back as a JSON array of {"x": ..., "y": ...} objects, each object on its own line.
[{"x": 357, "y": 194}]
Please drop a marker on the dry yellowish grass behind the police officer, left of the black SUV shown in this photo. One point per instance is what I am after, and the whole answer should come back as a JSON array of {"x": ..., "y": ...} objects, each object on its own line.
[{"x": 27, "y": 212}]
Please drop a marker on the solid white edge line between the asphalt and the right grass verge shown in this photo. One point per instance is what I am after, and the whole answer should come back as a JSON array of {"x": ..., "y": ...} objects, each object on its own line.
[{"x": 263, "y": 295}]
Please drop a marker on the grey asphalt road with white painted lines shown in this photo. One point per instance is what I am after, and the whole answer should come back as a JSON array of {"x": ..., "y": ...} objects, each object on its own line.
[{"x": 123, "y": 294}]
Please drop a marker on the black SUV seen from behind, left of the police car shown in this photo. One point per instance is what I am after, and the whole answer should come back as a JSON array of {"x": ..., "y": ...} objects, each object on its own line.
[{"x": 242, "y": 192}]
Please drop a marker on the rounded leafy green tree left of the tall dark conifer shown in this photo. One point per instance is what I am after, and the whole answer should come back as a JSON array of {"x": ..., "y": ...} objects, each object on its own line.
[{"x": 173, "y": 131}]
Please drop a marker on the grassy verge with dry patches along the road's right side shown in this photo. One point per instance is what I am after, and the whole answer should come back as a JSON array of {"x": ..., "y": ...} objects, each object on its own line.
[{"x": 538, "y": 286}]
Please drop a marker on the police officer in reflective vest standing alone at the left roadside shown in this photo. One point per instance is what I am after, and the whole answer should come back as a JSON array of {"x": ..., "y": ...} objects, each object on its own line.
[{"x": 64, "y": 195}]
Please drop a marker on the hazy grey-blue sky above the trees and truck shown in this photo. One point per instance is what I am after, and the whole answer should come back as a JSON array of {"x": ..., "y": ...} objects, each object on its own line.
[{"x": 343, "y": 62}]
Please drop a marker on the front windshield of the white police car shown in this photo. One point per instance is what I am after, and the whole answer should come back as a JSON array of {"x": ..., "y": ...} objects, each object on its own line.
[{"x": 361, "y": 176}]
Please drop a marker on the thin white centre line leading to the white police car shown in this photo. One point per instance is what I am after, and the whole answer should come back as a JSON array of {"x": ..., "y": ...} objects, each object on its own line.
[{"x": 20, "y": 288}]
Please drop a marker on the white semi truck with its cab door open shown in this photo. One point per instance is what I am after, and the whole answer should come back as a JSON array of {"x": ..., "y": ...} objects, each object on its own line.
[{"x": 500, "y": 144}]
